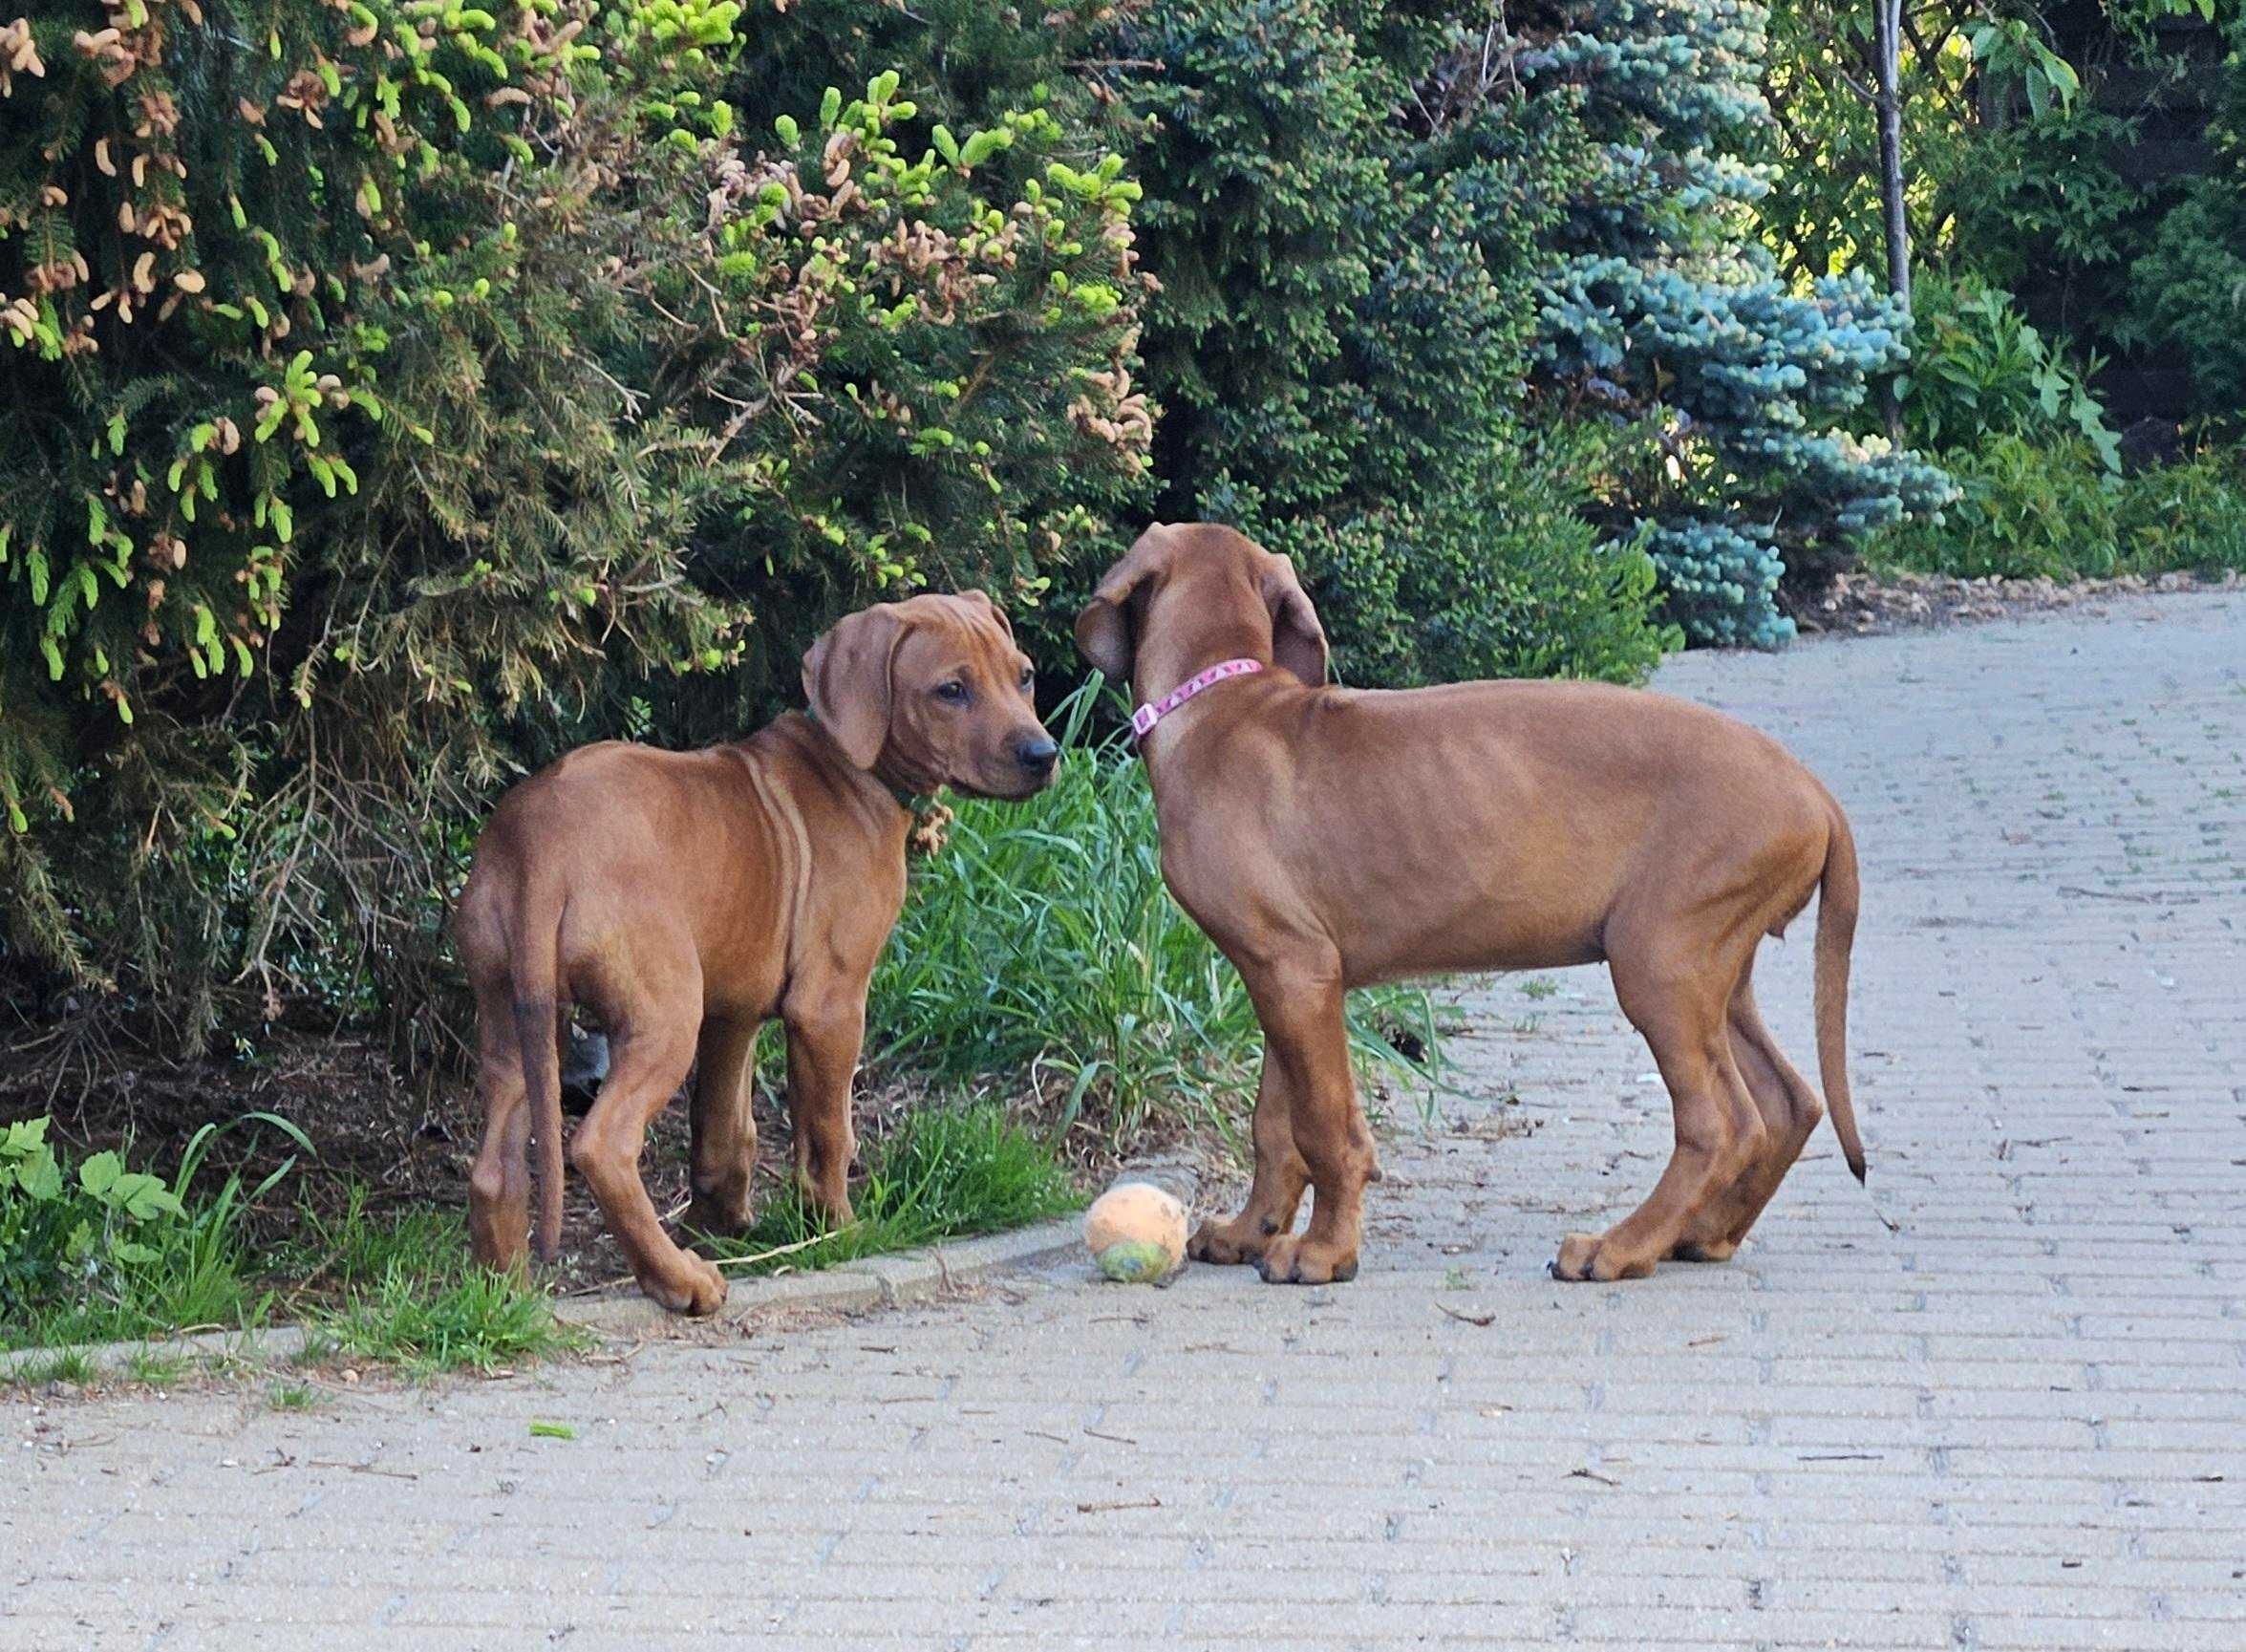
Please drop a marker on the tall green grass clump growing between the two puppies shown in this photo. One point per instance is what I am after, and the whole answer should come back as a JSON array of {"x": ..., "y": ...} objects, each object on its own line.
[{"x": 1041, "y": 943}]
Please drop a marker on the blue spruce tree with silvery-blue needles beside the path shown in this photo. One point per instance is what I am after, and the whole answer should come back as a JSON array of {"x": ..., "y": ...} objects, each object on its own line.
[{"x": 1742, "y": 394}]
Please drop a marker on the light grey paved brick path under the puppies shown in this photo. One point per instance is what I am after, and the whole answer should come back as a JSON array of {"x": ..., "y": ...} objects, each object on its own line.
[{"x": 2020, "y": 1422}]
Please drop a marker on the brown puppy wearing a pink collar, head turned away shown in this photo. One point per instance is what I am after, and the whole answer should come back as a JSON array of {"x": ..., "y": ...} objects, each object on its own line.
[{"x": 1335, "y": 837}]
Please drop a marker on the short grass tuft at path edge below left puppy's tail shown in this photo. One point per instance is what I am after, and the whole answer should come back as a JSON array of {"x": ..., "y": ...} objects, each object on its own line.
[{"x": 403, "y": 1291}]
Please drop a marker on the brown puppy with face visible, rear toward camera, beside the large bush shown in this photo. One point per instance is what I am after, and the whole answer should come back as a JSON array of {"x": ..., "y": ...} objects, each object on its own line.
[{"x": 688, "y": 898}]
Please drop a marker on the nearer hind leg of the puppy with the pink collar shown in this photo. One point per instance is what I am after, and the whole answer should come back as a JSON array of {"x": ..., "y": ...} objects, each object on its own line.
[{"x": 1681, "y": 1008}]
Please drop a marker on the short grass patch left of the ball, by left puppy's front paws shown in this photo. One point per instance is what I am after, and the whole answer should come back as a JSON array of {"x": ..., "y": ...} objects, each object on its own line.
[{"x": 947, "y": 1172}]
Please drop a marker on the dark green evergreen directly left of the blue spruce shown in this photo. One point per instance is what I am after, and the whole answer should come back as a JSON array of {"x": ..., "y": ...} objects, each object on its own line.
[{"x": 1349, "y": 226}]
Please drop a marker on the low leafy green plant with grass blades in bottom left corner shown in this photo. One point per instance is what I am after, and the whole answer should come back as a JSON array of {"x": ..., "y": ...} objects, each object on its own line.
[{"x": 95, "y": 1251}]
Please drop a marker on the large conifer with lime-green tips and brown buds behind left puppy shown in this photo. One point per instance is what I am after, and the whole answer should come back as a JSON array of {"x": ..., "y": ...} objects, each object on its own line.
[{"x": 432, "y": 399}]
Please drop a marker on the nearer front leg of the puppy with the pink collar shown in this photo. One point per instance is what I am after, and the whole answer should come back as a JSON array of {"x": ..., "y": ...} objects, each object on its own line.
[{"x": 1306, "y": 1040}]
